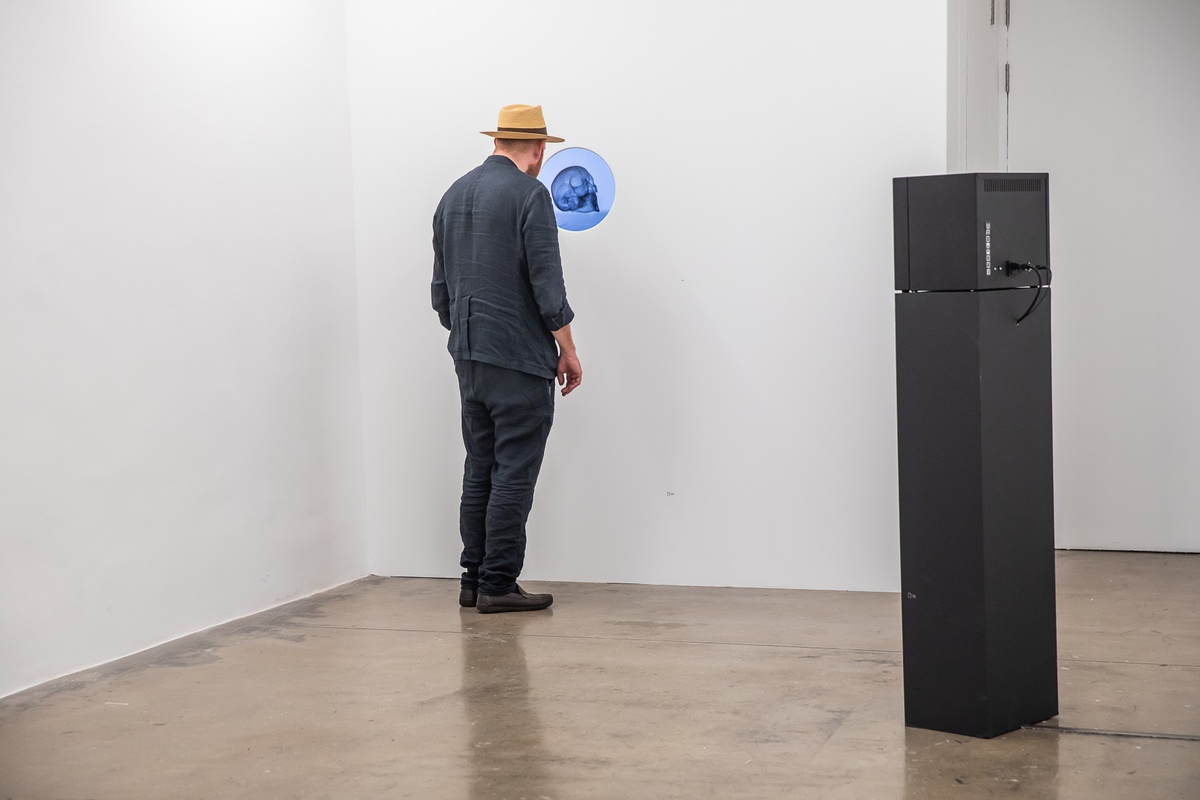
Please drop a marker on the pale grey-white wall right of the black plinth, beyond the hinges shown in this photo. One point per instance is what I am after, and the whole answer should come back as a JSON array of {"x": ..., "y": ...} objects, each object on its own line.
[{"x": 1106, "y": 99}]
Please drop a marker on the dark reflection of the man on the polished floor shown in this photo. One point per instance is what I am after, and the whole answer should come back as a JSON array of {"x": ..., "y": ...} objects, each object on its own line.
[{"x": 506, "y": 738}]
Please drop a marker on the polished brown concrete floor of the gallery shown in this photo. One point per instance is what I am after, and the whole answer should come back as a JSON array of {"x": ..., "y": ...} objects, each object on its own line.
[{"x": 386, "y": 689}]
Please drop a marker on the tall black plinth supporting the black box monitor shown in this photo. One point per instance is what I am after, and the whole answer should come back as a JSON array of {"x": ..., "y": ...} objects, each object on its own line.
[{"x": 976, "y": 512}]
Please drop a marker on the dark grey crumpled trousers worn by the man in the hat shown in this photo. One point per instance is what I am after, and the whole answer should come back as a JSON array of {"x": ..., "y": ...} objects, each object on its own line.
[{"x": 506, "y": 420}]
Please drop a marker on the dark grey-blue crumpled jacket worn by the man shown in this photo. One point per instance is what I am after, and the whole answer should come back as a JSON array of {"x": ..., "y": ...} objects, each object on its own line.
[{"x": 497, "y": 272}]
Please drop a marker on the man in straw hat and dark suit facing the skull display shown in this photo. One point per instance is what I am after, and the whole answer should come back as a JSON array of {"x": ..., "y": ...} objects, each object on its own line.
[{"x": 499, "y": 290}]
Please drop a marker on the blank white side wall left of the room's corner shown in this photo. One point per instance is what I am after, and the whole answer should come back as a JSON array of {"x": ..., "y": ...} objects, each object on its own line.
[{"x": 179, "y": 398}]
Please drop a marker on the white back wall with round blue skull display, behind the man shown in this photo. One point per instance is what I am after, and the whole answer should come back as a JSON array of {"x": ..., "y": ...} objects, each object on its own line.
[{"x": 737, "y": 419}]
